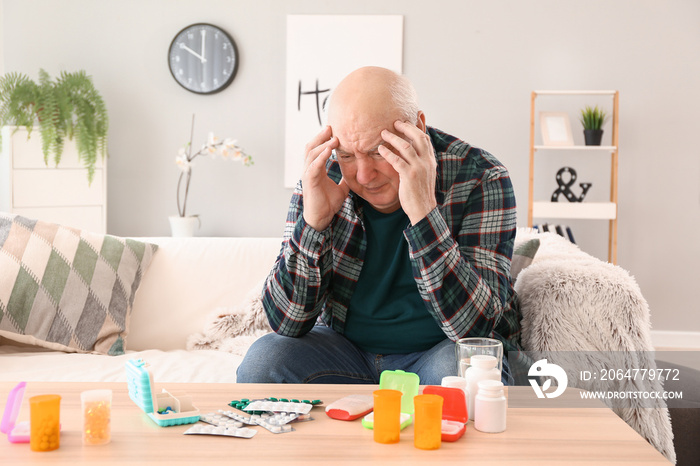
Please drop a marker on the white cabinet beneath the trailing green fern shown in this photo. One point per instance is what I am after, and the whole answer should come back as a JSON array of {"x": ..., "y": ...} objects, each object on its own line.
[{"x": 62, "y": 195}]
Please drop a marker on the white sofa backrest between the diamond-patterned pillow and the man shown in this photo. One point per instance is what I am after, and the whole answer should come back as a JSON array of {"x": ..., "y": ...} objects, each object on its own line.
[{"x": 188, "y": 279}]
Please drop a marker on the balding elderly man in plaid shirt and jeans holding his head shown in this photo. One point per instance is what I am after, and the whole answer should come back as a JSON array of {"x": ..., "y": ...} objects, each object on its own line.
[{"x": 399, "y": 237}]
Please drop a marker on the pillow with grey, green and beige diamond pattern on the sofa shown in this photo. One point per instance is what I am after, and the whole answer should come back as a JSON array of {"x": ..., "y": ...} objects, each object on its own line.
[{"x": 67, "y": 289}]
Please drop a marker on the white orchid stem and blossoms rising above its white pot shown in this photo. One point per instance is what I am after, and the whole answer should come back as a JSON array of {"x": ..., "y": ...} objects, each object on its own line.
[{"x": 226, "y": 149}]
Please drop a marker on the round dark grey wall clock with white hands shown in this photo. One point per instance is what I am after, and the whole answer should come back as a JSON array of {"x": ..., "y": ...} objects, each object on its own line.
[{"x": 203, "y": 58}]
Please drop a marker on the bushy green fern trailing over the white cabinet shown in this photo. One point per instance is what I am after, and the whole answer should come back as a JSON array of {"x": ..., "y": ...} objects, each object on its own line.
[{"x": 66, "y": 107}]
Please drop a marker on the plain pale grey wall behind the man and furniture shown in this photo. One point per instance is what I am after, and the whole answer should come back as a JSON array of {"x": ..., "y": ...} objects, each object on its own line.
[{"x": 474, "y": 64}]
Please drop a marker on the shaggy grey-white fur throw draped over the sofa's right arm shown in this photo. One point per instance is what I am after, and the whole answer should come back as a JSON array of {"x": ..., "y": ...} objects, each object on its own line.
[{"x": 574, "y": 302}]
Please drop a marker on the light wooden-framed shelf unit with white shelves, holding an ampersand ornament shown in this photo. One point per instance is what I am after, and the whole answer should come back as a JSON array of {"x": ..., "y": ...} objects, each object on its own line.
[{"x": 578, "y": 210}]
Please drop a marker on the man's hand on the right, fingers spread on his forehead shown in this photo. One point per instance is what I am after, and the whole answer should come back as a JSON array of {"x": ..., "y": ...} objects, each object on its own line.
[{"x": 414, "y": 160}]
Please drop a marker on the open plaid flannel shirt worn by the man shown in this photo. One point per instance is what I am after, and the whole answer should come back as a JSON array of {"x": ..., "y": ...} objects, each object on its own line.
[{"x": 460, "y": 253}]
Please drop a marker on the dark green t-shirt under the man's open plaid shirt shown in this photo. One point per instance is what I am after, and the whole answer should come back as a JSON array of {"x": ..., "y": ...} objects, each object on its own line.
[{"x": 386, "y": 313}]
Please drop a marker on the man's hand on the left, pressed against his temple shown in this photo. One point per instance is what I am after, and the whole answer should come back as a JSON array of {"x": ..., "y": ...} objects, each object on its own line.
[{"x": 322, "y": 197}]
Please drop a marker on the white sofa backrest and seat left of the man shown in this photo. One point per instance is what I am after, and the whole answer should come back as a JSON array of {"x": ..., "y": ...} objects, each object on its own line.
[{"x": 187, "y": 280}]
